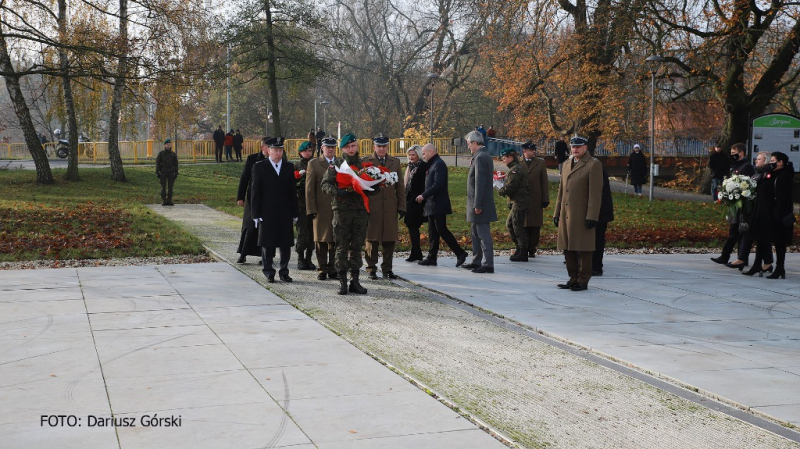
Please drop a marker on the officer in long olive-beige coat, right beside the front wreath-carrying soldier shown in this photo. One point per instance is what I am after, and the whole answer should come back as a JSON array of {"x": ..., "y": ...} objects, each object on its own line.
[{"x": 384, "y": 209}]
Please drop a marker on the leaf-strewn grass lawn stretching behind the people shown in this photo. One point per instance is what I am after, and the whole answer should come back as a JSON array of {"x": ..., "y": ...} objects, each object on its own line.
[{"x": 99, "y": 218}]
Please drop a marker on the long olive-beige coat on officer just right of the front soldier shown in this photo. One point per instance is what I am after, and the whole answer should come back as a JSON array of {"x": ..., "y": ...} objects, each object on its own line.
[{"x": 384, "y": 205}]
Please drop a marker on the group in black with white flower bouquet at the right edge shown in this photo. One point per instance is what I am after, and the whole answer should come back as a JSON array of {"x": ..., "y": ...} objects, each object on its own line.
[{"x": 769, "y": 221}]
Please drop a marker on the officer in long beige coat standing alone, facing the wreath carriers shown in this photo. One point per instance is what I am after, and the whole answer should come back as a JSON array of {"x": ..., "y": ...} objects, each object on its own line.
[{"x": 577, "y": 212}]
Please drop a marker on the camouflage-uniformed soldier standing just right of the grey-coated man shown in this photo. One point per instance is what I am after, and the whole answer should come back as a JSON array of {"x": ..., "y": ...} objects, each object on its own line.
[{"x": 519, "y": 198}]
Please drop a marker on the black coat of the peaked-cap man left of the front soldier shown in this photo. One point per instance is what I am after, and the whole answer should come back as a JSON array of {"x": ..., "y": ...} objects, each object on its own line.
[{"x": 274, "y": 200}]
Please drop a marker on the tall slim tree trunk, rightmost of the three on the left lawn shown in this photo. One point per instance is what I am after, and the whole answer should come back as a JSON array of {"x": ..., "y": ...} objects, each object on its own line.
[{"x": 114, "y": 158}]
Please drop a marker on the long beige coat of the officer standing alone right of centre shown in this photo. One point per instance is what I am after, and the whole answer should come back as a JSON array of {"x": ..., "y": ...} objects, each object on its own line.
[{"x": 579, "y": 196}]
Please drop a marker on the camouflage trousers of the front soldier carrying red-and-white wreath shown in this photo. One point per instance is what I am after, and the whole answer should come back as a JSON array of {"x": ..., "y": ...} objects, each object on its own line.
[{"x": 349, "y": 233}]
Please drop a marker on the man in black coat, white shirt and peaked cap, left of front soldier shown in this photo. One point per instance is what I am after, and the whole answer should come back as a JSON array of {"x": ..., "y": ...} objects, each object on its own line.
[{"x": 274, "y": 208}]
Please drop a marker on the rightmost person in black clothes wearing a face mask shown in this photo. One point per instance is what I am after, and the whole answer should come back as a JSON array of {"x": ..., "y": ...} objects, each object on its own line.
[{"x": 773, "y": 217}]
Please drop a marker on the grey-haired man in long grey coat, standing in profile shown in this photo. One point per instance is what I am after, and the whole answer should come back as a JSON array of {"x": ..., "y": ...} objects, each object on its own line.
[{"x": 481, "y": 210}]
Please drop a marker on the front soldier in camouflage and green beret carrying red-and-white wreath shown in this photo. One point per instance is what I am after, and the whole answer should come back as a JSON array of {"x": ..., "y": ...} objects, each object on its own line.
[{"x": 350, "y": 219}]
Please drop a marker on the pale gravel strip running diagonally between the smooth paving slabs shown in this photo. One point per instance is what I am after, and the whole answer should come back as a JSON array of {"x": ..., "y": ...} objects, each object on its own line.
[{"x": 535, "y": 394}]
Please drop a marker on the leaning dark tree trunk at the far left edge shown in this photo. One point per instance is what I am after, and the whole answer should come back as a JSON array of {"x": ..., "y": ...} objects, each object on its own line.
[{"x": 43, "y": 173}]
